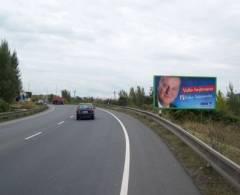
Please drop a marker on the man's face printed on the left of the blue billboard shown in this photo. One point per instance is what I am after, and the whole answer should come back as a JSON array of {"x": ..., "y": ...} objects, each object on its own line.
[{"x": 168, "y": 90}]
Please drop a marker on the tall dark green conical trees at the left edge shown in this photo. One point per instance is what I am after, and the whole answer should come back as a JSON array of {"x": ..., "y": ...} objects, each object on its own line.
[{"x": 10, "y": 80}]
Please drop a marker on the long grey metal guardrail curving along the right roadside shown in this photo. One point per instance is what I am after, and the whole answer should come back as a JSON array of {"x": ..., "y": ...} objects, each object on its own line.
[{"x": 226, "y": 167}]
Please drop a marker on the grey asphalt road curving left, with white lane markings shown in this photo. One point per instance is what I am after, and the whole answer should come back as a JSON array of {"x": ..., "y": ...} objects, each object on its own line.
[{"x": 53, "y": 153}]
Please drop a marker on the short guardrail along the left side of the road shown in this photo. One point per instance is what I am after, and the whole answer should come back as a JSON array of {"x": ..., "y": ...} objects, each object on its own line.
[{"x": 20, "y": 113}]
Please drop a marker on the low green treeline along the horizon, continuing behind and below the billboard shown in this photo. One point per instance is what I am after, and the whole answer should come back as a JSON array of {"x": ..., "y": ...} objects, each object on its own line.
[{"x": 227, "y": 106}]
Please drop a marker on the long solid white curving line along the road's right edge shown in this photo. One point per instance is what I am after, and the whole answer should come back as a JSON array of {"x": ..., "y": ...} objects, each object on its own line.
[{"x": 125, "y": 179}]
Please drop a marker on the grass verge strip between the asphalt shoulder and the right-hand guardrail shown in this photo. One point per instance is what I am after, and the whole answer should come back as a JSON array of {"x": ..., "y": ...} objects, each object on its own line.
[{"x": 204, "y": 176}]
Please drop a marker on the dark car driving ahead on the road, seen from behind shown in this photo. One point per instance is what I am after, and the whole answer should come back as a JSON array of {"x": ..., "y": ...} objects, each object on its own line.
[{"x": 85, "y": 110}]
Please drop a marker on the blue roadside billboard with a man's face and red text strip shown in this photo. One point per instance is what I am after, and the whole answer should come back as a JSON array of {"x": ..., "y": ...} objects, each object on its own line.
[{"x": 181, "y": 92}]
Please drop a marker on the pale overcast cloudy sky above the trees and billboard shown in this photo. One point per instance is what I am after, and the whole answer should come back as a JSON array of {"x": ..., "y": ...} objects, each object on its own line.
[{"x": 96, "y": 47}]
